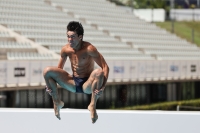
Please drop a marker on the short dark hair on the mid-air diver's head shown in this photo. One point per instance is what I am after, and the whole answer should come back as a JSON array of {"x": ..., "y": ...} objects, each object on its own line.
[{"x": 76, "y": 27}]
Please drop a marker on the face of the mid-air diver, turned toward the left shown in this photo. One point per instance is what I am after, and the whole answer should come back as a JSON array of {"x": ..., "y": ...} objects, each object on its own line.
[{"x": 73, "y": 38}]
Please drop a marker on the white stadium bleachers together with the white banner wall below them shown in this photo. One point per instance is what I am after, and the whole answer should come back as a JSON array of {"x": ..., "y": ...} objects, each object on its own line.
[{"x": 32, "y": 33}]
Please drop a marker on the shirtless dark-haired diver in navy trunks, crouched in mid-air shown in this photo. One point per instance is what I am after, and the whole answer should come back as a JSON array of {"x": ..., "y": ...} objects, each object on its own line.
[{"x": 85, "y": 79}]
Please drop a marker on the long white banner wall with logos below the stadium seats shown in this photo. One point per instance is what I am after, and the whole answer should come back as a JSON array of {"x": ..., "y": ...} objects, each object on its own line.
[{"x": 29, "y": 73}]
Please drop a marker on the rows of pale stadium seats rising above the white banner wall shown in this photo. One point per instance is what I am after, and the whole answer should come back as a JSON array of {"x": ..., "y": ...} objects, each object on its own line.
[{"x": 116, "y": 33}]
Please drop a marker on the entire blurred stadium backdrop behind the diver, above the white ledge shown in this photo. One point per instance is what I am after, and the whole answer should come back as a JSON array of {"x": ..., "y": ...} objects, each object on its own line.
[{"x": 151, "y": 47}]
